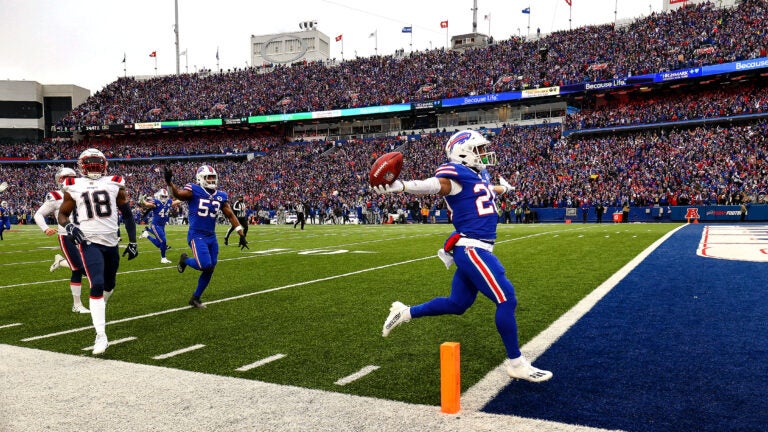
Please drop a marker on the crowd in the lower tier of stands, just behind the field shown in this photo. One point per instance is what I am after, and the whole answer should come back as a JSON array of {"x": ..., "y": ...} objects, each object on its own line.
[{"x": 704, "y": 165}]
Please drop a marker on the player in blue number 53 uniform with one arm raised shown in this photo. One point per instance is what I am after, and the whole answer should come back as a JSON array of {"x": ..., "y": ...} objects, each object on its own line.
[{"x": 205, "y": 202}]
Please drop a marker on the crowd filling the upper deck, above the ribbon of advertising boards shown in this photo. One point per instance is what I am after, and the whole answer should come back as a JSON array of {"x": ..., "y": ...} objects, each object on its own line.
[{"x": 694, "y": 35}]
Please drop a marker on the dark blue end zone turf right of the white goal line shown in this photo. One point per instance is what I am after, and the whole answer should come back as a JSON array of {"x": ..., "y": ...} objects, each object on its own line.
[{"x": 681, "y": 344}]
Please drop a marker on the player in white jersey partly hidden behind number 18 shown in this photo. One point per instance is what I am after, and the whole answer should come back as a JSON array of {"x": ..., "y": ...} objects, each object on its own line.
[{"x": 71, "y": 259}]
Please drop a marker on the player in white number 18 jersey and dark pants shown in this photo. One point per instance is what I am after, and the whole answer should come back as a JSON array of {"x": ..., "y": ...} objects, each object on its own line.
[{"x": 96, "y": 199}]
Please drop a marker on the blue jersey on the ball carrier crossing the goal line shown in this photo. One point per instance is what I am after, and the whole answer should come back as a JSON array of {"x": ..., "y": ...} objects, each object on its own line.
[{"x": 473, "y": 210}]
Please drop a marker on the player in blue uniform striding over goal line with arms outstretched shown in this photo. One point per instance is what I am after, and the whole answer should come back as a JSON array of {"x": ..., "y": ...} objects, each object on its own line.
[{"x": 466, "y": 186}]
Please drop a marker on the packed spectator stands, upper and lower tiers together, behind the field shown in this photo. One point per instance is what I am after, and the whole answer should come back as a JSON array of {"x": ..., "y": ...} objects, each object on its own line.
[{"x": 685, "y": 141}]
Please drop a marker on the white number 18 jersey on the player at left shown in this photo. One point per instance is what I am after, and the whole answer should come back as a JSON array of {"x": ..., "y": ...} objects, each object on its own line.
[{"x": 96, "y": 207}]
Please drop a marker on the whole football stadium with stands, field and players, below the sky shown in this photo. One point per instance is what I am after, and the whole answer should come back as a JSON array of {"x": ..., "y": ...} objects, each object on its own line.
[{"x": 254, "y": 248}]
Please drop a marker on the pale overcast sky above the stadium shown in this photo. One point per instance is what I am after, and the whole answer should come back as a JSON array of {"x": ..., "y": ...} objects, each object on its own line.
[{"x": 83, "y": 42}]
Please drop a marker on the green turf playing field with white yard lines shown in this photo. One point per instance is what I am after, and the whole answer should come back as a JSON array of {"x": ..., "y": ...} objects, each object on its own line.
[{"x": 306, "y": 308}]
